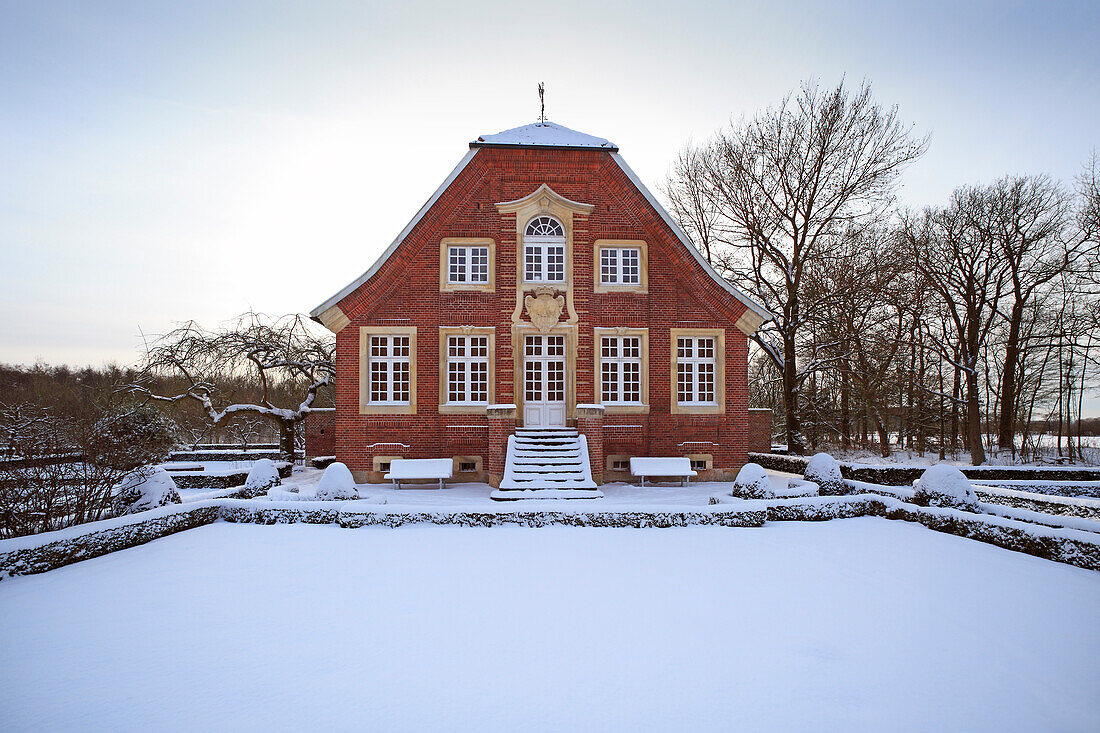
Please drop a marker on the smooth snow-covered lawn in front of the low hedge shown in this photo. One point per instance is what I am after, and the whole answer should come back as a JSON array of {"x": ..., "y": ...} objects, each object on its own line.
[{"x": 857, "y": 625}]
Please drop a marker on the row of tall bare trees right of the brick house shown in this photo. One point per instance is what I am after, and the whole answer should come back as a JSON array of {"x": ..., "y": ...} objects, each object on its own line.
[{"x": 969, "y": 326}]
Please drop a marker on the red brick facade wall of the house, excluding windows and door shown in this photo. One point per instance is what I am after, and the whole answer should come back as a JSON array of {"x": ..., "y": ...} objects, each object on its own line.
[{"x": 405, "y": 292}]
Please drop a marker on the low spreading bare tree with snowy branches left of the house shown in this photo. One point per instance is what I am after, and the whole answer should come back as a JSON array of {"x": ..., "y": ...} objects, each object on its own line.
[{"x": 287, "y": 358}]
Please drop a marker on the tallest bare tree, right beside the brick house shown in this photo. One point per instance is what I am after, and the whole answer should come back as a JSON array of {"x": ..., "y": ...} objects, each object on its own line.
[{"x": 786, "y": 184}]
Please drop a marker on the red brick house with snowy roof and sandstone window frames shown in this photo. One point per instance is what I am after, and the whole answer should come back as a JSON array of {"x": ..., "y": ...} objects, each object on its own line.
[{"x": 541, "y": 292}]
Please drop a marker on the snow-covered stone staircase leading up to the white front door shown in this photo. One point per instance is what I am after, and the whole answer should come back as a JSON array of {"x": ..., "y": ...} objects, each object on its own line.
[{"x": 547, "y": 464}]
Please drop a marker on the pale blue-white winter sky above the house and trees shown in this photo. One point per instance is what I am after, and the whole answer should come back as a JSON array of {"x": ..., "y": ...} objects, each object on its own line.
[{"x": 162, "y": 162}]
